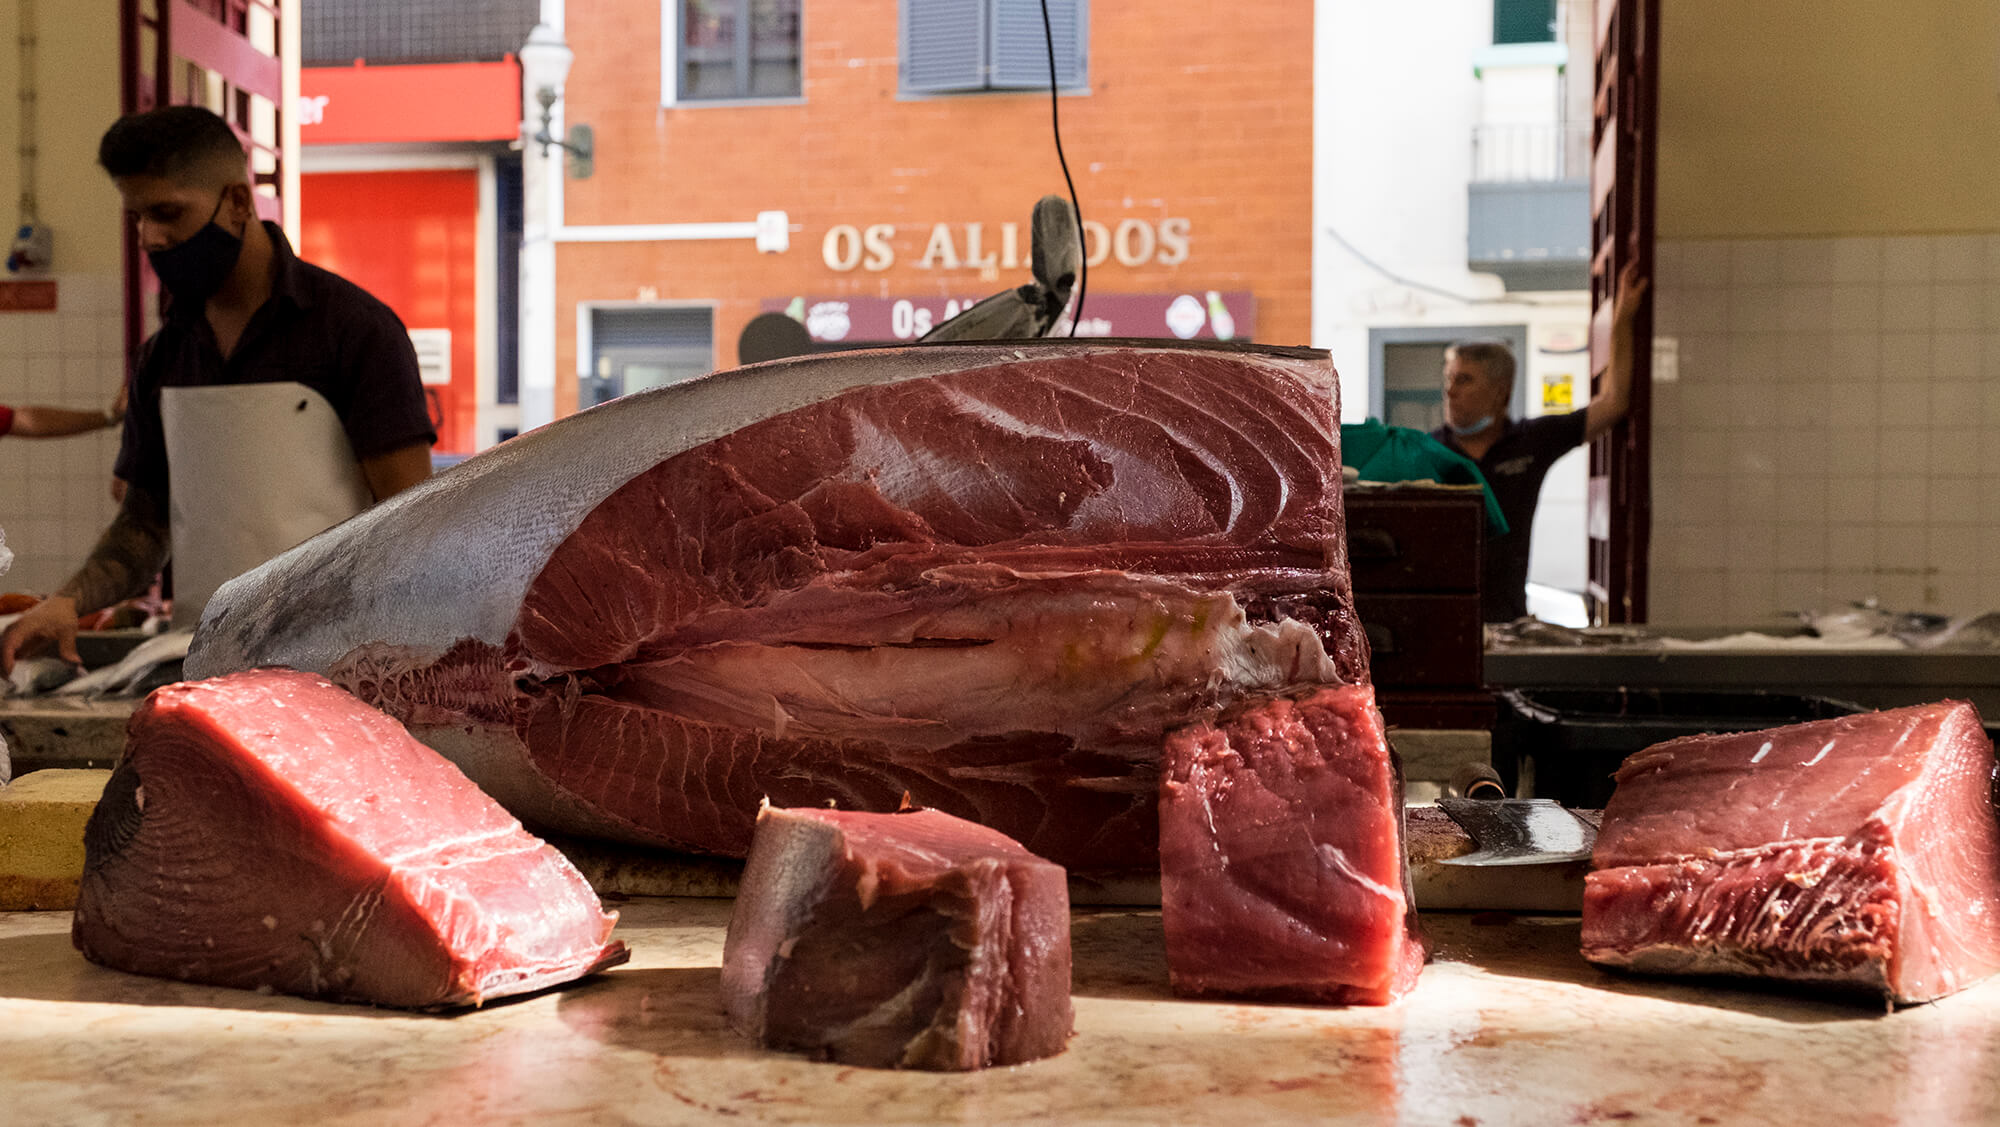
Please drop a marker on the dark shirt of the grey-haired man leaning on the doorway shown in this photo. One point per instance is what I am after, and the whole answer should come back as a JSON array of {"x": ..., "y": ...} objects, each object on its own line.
[{"x": 1515, "y": 471}]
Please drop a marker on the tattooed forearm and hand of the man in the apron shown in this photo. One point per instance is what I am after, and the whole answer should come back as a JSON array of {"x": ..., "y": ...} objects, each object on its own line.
[{"x": 121, "y": 566}]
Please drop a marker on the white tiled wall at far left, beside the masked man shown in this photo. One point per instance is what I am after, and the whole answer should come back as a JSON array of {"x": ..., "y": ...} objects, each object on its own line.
[{"x": 55, "y": 493}]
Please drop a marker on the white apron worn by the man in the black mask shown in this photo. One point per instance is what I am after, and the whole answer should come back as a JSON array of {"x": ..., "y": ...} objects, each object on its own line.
[{"x": 255, "y": 469}]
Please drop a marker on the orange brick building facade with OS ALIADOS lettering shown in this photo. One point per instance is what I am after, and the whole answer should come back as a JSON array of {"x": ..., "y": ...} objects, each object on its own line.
[{"x": 1197, "y": 111}]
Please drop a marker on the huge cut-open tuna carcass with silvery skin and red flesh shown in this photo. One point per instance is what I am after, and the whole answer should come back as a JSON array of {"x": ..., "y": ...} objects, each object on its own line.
[{"x": 985, "y": 576}]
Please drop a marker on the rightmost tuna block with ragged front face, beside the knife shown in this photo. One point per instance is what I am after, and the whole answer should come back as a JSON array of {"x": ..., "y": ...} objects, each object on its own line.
[{"x": 1855, "y": 852}]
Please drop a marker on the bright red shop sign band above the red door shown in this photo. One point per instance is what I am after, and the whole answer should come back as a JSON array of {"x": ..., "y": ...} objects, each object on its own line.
[{"x": 423, "y": 103}]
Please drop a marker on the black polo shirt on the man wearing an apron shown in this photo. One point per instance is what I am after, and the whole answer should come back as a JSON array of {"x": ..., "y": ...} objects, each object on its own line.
[{"x": 319, "y": 331}]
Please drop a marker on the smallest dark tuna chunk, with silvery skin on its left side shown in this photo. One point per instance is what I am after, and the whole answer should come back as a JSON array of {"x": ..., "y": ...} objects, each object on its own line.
[{"x": 899, "y": 940}]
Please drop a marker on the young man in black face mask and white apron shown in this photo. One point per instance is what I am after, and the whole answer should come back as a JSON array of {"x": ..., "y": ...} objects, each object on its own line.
[{"x": 275, "y": 403}]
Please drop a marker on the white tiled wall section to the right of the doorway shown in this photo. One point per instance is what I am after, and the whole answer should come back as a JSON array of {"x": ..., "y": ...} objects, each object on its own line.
[{"x": 1835, "y": 431}]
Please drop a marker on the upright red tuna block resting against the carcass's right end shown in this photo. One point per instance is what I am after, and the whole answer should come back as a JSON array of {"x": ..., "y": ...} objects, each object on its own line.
[{"x": 1283, "y": 870}]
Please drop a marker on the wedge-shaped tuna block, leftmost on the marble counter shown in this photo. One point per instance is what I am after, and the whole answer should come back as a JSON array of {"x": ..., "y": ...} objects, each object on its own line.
[{"x": 269, "y": 832}]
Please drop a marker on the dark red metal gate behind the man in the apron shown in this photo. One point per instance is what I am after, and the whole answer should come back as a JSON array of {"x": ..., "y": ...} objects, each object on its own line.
[{"x": 189, "y": 39}]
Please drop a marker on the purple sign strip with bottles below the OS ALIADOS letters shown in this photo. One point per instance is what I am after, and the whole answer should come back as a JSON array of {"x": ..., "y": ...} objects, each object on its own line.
[{"x": 1195, "y": 315}]
